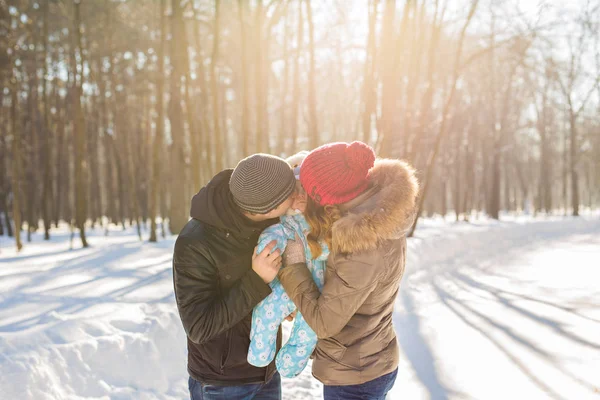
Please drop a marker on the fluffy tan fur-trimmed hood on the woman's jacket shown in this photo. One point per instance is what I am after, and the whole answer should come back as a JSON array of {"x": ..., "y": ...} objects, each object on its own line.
[{"x": 385, "y": 211}]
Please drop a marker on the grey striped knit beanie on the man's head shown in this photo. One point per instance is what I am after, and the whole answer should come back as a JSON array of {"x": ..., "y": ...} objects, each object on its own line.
[{"x": 261, "y": 182}]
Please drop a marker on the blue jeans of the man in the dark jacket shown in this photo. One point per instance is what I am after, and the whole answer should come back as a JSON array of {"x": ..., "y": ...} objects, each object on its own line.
[{"x": 260, "y": 391}]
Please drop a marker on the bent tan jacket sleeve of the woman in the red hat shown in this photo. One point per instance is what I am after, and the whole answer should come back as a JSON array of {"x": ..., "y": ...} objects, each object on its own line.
[{"x": 346, "y": 288}]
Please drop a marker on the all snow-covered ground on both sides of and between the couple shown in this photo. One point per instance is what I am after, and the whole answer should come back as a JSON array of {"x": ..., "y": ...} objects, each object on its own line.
[{"x": 488, "y": 310}]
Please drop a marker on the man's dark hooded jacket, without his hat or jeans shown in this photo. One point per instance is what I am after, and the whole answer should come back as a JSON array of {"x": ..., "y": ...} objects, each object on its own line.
[{"x": 216, "y": 288}]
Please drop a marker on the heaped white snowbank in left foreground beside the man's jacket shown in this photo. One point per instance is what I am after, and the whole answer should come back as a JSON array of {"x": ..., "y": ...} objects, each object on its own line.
[{"x": 125, "y": 357}]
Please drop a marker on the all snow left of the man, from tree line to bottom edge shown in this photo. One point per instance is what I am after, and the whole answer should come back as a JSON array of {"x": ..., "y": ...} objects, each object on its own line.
[{"x": 93, "y": 323}]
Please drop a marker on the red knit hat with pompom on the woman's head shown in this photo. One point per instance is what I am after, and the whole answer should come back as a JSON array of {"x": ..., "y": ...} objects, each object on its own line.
[{"x": 337, "y": 172}]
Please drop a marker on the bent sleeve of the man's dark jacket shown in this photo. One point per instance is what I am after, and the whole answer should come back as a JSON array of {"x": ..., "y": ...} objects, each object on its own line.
[{"x": 205, "y": 310}]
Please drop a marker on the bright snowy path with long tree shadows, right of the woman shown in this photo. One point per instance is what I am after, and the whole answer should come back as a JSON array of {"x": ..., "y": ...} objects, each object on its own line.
[{"x": 502, "y": 312}]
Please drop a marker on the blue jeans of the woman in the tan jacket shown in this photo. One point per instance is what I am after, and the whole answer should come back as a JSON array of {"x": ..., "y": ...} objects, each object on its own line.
[{"x": 373, "y": 390}]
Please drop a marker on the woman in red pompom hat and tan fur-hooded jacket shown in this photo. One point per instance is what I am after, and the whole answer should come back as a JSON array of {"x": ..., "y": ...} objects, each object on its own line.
[{"x": 361, "y": 208}]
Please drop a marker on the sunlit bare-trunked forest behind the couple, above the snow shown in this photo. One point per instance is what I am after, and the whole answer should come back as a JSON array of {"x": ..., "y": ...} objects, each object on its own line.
[{"x": 117, "y": 112}]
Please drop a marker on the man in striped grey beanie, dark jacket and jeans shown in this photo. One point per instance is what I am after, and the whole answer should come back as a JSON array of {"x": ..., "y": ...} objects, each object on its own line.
[{"x": 219, "y": 278}]
